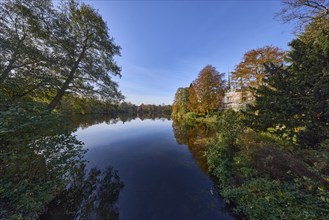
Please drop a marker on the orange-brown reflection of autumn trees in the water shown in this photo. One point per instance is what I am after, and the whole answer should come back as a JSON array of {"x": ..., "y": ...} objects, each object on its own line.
[{"x": 195, "y": 137}]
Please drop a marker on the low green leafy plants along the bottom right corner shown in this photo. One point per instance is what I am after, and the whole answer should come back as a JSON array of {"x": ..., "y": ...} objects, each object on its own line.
[{"x": 266, "y": 199}]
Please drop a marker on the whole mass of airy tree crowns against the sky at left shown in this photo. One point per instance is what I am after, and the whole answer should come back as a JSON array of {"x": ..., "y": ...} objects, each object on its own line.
[{"x": 47, "y": 52}]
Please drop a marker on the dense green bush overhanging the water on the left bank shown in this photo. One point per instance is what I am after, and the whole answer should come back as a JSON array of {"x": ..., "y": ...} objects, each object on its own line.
[{"x": 37, "y": 156}]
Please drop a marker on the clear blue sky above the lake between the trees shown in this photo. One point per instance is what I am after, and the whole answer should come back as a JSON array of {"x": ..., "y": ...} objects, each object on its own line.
[{"x": 165, "y": 44}]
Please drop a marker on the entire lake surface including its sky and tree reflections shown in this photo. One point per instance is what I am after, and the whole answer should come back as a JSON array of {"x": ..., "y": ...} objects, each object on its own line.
[{"x": 163, "y": 179}]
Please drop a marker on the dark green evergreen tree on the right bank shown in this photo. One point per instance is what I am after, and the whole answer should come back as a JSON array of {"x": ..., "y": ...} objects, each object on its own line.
[{"x": 296, "y": 102}]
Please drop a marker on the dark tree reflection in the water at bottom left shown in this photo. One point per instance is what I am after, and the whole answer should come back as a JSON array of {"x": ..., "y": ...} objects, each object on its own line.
[{"x": 92, "y": 196}]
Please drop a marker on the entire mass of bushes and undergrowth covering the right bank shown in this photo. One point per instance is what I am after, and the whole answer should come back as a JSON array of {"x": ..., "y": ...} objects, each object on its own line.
[{"x": 264, "y": 177}]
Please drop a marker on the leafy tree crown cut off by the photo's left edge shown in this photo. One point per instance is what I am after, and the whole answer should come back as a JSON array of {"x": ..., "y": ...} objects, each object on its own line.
[{"x": 25, "y": 58}]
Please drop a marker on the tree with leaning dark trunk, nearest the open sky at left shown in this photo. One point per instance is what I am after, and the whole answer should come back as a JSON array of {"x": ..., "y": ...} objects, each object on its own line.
[{"x": 84, "y": 53}]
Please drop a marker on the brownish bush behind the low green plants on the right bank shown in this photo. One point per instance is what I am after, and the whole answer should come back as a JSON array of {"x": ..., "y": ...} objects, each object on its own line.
[{"x": 266, "y": 154}]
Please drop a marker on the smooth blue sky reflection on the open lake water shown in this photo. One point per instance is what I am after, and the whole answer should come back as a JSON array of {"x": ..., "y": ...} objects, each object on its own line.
[{"x": 162, "y": 180}]
